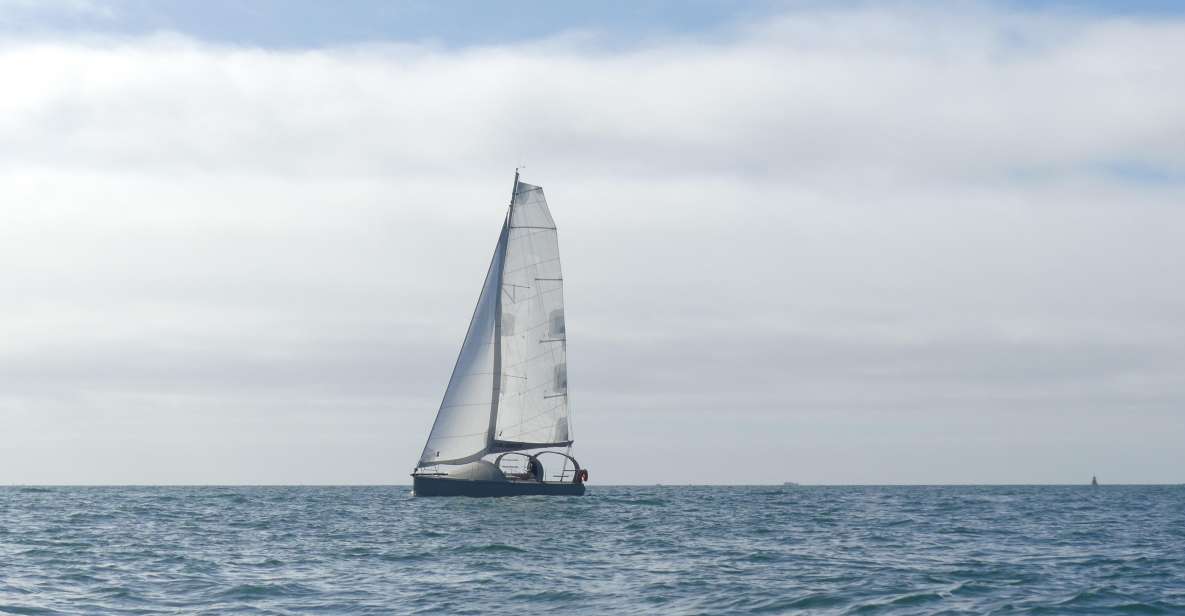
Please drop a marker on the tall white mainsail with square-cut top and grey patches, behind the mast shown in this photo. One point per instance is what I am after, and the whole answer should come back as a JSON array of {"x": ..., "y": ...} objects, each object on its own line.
[{"x": 533, "y": 407}]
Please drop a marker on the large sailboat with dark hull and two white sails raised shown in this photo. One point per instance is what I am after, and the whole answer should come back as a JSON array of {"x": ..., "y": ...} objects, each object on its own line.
[{"x": 504, "y": 427}]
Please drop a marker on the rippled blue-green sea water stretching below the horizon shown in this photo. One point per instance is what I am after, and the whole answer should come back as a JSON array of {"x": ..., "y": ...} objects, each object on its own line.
[{"x": 619, "y": 550}]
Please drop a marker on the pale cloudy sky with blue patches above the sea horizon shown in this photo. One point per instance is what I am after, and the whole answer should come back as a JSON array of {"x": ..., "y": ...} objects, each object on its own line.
[{"x": 815, "y": 242}]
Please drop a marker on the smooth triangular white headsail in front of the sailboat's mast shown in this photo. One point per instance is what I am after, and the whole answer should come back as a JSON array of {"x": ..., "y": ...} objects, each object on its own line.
[{"x": 462, "y": 432}]
